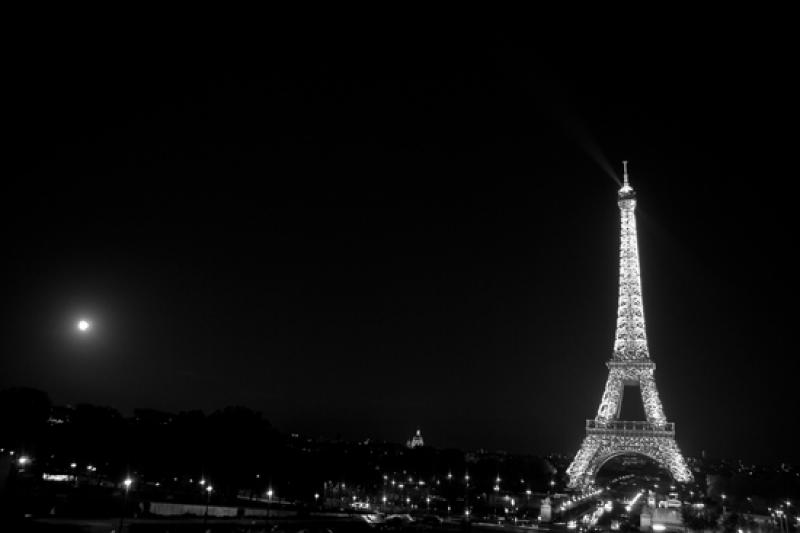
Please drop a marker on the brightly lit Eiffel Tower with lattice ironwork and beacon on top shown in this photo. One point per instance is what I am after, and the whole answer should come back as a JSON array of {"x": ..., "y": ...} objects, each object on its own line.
[{"x": 607, "y": 436}]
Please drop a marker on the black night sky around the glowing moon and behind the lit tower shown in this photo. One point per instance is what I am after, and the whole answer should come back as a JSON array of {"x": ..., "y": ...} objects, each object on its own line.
[{"x": 362, "y": 233}]
